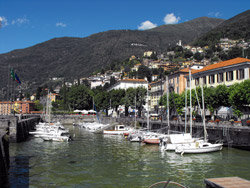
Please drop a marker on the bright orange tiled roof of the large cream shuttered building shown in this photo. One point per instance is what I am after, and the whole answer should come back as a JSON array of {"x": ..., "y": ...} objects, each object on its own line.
[{"x": 223, "y": 64}]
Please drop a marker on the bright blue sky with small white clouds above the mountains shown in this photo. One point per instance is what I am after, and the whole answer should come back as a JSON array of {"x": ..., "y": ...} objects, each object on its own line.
[{"x": 25, "y": 23}]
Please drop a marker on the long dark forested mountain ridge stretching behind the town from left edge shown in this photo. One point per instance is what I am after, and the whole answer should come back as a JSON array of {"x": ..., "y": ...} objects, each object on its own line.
[{"x": 78, "y": 57}]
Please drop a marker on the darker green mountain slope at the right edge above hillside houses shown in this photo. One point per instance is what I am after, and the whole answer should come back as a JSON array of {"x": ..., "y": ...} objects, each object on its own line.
[{"x": 235, "y": 28}]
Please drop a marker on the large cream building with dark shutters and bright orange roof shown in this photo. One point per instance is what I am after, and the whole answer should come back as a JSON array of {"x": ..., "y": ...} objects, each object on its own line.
[{"x": 226, "y": 72}]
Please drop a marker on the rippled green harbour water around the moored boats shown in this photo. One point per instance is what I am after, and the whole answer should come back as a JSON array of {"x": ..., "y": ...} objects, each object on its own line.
[{"x": 100, "y": 161}]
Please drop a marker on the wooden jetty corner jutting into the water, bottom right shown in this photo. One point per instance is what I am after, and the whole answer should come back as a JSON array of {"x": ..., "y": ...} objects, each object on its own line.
[{"x": 227, "y": 182}]
